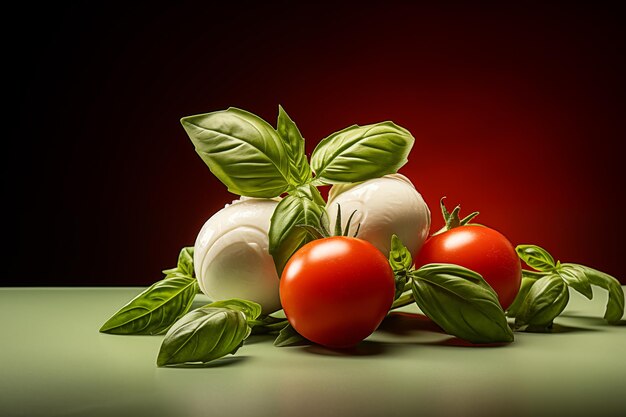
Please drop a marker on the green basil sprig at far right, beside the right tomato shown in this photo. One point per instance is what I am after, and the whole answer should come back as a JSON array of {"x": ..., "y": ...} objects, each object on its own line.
[{"x": 544, "y": 292}]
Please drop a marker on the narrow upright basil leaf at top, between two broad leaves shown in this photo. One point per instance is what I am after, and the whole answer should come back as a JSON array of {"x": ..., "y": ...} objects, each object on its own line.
[{"x": 299, "y": 169}]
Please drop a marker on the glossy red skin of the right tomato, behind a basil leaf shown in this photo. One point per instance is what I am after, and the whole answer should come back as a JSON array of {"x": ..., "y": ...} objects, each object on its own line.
[{"x": 480, "y": 249}]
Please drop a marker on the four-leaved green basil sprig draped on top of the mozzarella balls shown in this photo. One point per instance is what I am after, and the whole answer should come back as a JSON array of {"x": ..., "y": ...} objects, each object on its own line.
[{"x": 253, "y": 159}]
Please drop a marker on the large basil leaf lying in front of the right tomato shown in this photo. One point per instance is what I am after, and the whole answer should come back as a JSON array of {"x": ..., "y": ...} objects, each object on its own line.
[{"x": 461, "y": 302}]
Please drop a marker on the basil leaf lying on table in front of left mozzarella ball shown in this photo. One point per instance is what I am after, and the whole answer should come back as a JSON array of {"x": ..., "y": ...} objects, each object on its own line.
[{"x": 204, "y": 335}]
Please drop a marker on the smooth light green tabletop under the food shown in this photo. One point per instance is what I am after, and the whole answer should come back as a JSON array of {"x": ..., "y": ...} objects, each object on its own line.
[{"x": 53, "y": 361}]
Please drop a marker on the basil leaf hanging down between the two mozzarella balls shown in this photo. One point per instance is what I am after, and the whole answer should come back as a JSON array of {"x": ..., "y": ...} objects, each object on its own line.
[{"x": 285, "y": 238}]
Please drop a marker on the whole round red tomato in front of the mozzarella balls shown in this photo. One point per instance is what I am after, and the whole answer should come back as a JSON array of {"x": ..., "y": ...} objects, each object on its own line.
[{"x": 336, "y": 291}]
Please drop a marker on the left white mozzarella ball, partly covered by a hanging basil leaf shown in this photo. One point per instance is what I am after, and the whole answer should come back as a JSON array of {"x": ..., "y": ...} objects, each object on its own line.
[{"x": 231, "y": 254}]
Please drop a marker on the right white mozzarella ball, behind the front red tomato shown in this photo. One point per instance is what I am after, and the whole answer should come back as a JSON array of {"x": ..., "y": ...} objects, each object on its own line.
[{"x": 384, "y": 206}]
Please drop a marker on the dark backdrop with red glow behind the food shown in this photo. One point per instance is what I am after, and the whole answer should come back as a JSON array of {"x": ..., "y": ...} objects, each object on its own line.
[{"x": 517, "y": 110}]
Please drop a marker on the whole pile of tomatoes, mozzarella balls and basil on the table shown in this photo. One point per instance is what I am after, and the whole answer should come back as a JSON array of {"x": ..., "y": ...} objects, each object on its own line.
[{"x": 272, "y": 263}]
